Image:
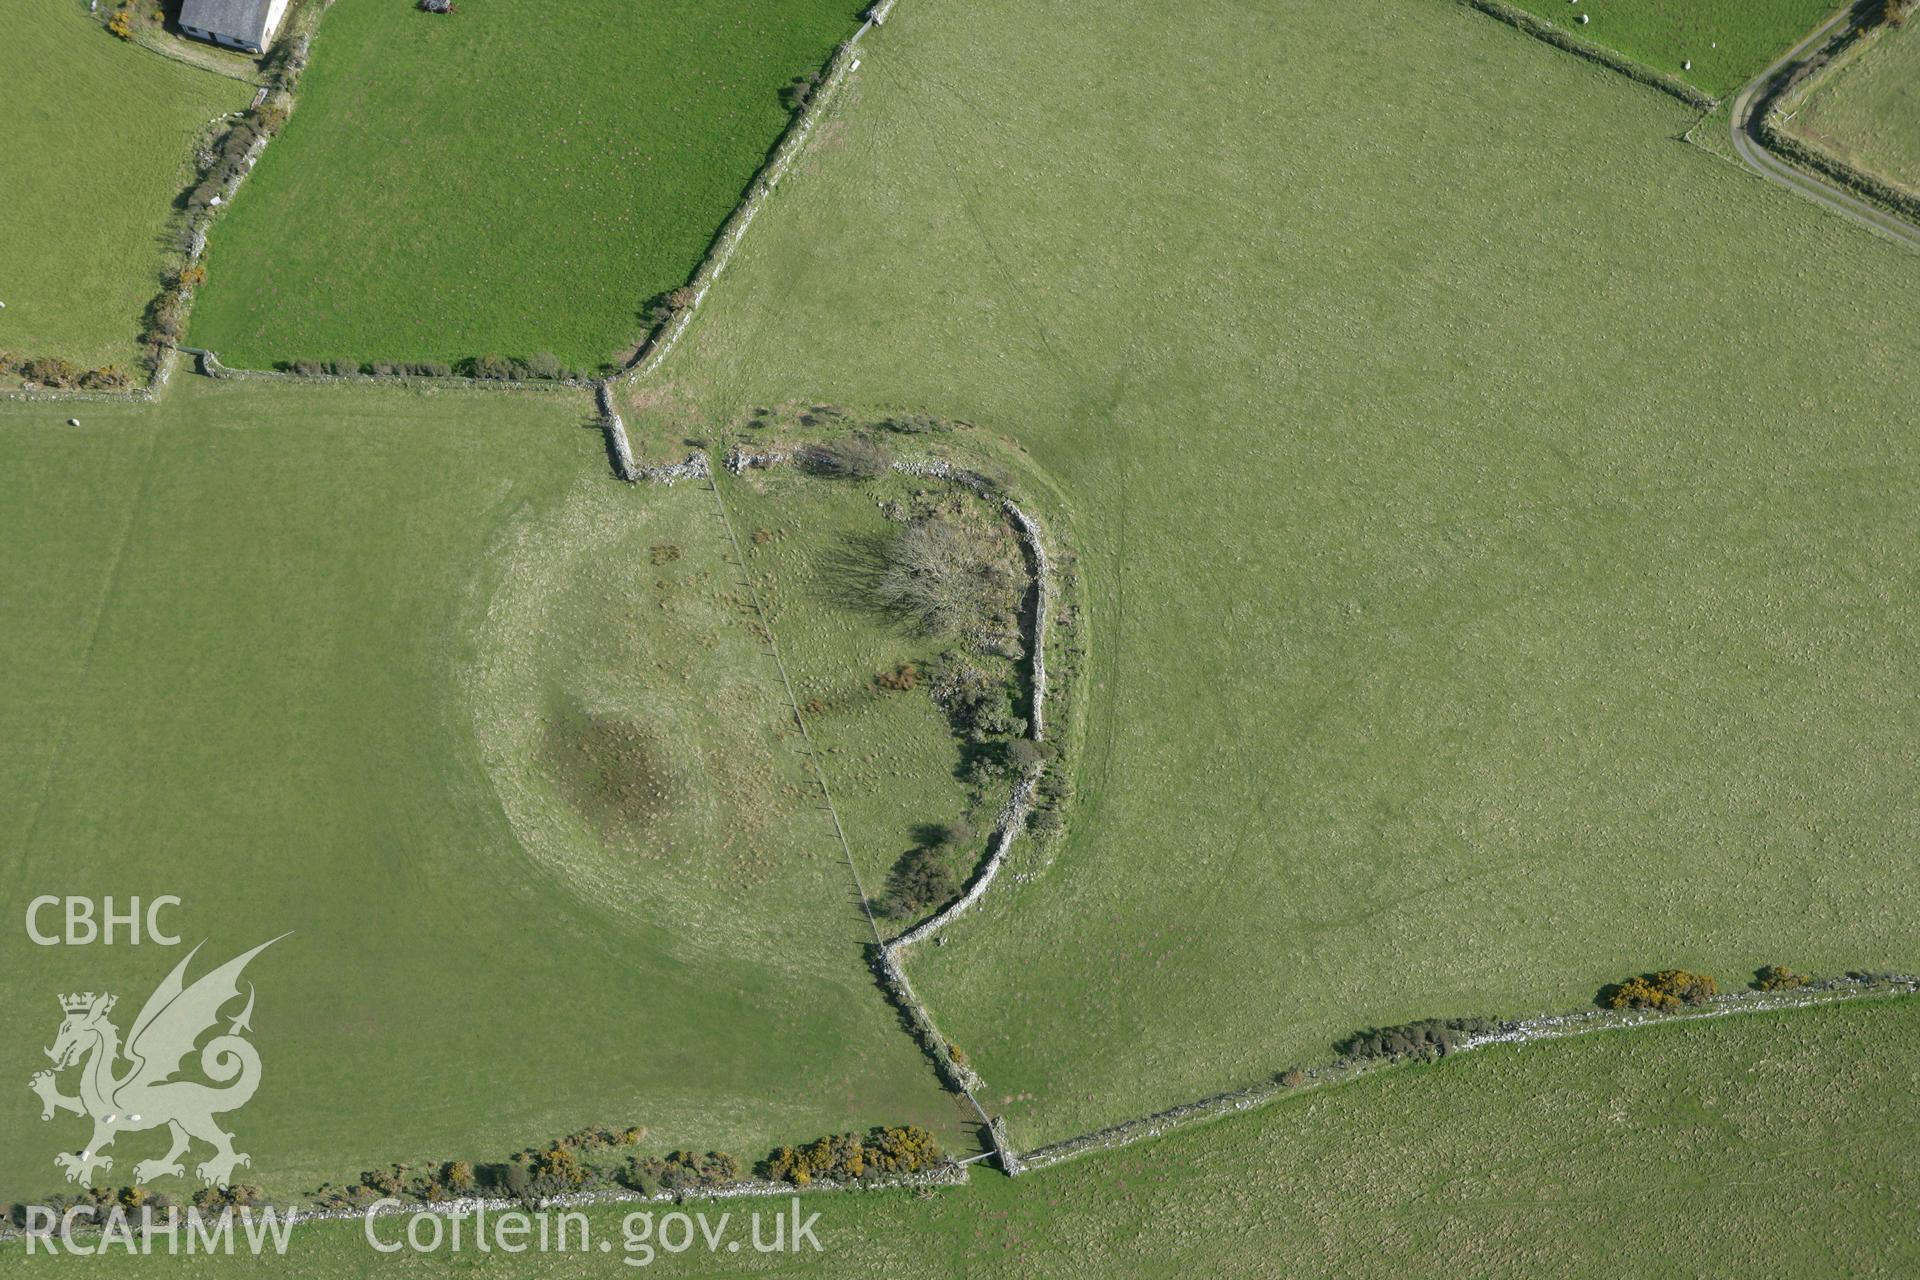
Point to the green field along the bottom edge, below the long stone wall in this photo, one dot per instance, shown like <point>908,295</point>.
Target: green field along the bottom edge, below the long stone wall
<point>1758,1147</point>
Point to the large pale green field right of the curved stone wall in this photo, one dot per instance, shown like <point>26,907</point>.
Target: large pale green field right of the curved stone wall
<point>1481,609</point>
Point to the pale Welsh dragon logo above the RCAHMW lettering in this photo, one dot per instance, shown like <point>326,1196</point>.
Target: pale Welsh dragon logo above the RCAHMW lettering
<point>145,1093</point>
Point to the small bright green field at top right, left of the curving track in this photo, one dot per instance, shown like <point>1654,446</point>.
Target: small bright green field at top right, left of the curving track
<point>1727,41</point>
